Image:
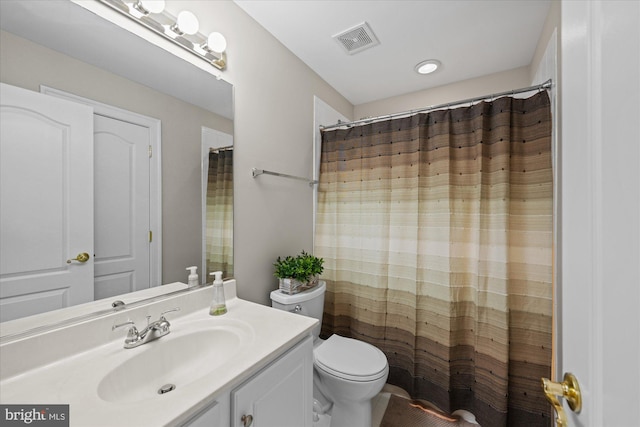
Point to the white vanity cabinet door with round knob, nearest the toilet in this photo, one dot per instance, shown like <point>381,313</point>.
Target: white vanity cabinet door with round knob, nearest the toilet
<point>281,395</point>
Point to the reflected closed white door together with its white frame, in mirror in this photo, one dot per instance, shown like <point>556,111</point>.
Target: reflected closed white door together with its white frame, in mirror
<point>128,201</point>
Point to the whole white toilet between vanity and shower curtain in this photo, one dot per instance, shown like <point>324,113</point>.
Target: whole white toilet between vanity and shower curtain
<point>347,373</point>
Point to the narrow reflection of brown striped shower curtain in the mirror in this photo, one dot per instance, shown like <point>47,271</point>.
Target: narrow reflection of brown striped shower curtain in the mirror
<point>219,225</point>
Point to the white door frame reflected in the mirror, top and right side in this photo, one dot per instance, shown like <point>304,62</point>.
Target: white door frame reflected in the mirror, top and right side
<point>155,169</point>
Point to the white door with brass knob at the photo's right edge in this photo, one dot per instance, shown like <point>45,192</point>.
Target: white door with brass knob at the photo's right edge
<point>599,326</point>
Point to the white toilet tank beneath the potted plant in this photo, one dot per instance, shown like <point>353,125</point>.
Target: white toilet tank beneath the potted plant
<point>307,303</point>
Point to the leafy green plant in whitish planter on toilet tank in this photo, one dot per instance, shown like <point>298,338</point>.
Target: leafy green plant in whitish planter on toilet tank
<point>298,273</point>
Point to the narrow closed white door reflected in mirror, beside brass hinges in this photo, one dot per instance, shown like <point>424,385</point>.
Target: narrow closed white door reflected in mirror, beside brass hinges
<point>122,230</point>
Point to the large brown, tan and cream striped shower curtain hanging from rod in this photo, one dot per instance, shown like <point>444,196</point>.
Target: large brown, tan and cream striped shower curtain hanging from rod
<point>436,231</point>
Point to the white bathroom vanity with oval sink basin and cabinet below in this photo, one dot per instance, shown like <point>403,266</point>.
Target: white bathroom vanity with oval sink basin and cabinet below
<point>252,365</point>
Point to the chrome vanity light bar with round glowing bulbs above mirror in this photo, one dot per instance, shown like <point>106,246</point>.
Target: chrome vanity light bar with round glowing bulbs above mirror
<point>181,30</point>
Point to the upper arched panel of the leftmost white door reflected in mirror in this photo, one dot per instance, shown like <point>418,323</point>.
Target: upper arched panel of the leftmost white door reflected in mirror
<point>36,170</point>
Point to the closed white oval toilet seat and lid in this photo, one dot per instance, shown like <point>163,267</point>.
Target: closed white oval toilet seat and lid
<point>350,359</point>
